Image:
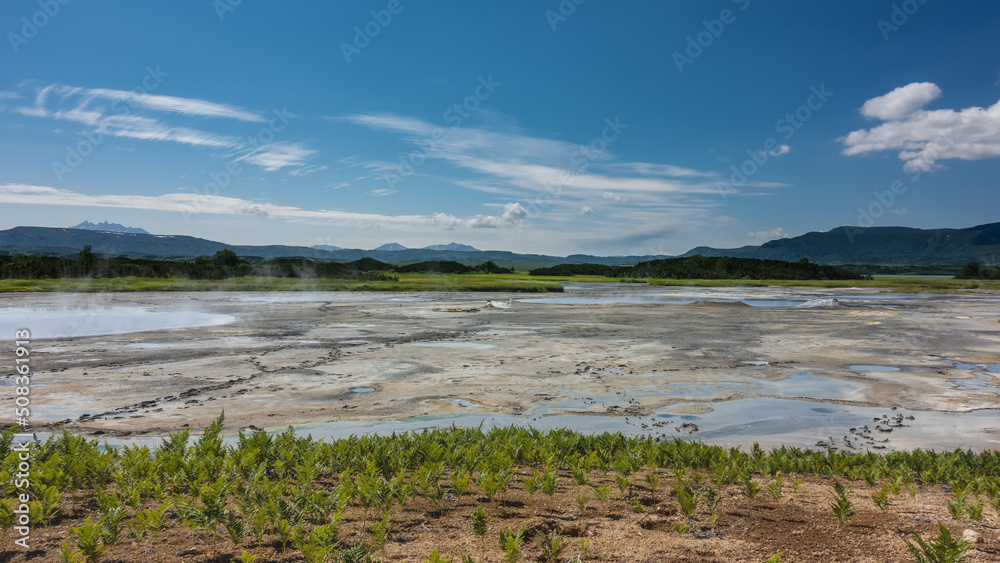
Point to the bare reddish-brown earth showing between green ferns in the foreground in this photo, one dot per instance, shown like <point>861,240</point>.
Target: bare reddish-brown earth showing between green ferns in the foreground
<point>800,525</point>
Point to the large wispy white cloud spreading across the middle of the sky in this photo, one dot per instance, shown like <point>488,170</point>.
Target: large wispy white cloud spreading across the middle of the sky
<point>561,180</point>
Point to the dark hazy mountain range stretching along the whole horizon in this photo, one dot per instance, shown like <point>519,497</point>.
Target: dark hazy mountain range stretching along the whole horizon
<point>887,246</point>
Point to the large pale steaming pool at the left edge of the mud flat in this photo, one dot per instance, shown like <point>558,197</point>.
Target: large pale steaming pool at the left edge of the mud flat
<point>68,322</point>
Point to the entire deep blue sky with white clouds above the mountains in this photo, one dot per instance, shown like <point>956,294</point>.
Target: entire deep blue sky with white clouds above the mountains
<point>534,126</point>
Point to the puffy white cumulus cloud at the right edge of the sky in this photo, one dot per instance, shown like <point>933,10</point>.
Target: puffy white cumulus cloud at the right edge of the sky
<point>925,137</point>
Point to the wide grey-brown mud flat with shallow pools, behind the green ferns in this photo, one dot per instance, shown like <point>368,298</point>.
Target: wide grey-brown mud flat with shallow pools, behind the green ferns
<point>859,371</point>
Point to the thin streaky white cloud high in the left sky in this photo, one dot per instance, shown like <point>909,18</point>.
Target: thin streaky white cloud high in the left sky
<point>149,117</point>
